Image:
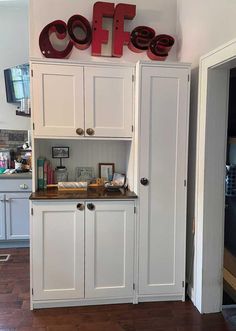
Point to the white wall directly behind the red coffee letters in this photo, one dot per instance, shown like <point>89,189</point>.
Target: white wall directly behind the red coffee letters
<point>158,14</point>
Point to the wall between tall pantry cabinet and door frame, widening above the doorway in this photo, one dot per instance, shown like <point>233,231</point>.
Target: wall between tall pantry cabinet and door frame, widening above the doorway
<point>202,26</point>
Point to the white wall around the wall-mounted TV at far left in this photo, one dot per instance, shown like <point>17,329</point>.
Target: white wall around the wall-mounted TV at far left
<point>14,50</point>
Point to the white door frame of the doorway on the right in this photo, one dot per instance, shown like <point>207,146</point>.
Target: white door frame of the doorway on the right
<point>214,69</point>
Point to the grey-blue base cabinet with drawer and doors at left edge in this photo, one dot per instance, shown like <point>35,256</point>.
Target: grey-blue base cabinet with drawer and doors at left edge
<point>14,211</point>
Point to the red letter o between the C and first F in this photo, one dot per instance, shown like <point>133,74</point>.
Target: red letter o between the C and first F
<point>78,21</point>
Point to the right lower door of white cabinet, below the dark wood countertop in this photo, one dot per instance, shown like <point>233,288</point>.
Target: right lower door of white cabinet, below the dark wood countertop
<point>109,249</point>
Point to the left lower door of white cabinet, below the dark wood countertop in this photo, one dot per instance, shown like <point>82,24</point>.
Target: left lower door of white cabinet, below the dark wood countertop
<point>57,250</point>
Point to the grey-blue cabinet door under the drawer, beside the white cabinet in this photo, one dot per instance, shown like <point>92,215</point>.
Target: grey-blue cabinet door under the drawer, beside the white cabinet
<point>17,215</point>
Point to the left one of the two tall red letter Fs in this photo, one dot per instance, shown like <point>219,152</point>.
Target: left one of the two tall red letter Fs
<point>100,36</point>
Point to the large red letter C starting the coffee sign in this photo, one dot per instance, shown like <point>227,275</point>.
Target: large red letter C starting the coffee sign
<point>60,28</point>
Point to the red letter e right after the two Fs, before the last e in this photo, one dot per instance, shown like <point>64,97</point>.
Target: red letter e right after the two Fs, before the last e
<point>140,38</point>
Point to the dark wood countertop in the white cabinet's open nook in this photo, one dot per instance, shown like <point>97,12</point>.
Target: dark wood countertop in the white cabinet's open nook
<point>91,193</point>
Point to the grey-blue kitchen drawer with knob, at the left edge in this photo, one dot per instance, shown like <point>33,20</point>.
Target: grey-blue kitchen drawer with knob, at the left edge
<point>16,185</point>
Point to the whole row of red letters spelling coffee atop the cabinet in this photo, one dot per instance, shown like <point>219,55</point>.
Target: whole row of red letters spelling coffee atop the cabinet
<point>141,39</point>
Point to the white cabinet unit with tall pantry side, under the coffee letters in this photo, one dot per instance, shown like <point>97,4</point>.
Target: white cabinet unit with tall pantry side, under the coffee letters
<point>149,240</point>
